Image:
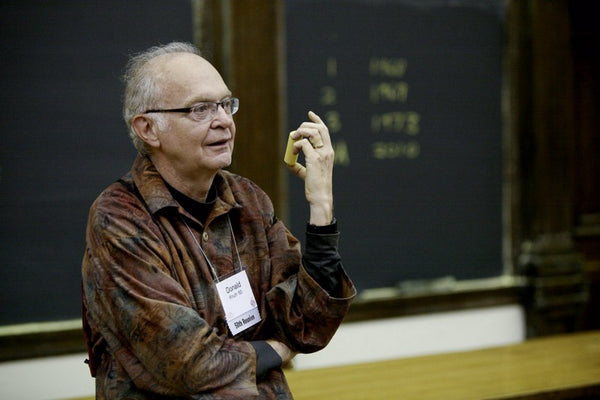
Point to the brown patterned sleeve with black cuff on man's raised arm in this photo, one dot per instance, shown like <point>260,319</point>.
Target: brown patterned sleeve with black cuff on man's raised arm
<point>305,312</point>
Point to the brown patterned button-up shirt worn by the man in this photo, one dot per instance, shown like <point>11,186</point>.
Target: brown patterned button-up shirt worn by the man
<point>152,317</point>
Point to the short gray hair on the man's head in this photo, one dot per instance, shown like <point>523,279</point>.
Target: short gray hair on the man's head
<point>142,90</point>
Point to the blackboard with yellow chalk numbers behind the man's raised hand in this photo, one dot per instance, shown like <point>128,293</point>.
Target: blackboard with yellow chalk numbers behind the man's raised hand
<point>411,92</point>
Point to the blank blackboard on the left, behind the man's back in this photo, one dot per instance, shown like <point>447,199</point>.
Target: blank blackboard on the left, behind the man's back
<point>62,135</point>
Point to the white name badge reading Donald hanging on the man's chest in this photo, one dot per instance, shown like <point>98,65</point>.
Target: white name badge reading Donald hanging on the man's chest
<point>237,299</point>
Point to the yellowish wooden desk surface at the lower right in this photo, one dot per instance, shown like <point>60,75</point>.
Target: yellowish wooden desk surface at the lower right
<point>558,367</point>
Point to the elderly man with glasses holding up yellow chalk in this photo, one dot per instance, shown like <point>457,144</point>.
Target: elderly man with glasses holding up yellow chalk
<point>192,288</point>
